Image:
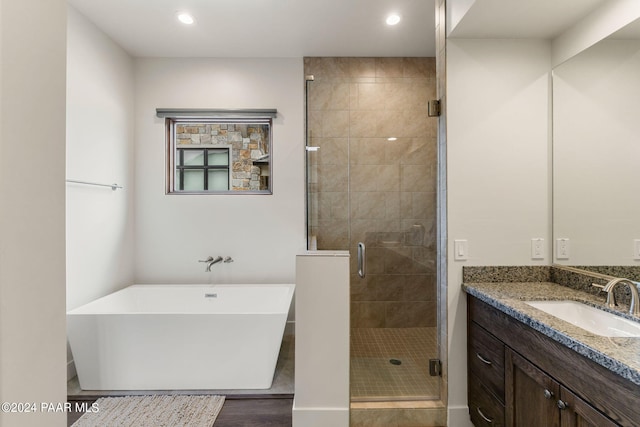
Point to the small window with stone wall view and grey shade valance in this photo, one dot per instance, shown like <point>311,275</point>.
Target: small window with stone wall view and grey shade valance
<point>218,151</point>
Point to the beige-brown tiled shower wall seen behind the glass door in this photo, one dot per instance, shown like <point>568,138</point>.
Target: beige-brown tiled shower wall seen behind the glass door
<point>354,105</point>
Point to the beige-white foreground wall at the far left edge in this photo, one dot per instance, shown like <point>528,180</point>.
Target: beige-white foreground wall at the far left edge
<point>32,194</point>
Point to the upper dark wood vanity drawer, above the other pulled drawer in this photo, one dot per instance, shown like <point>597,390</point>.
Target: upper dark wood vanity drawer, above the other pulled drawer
<point>486,359</point>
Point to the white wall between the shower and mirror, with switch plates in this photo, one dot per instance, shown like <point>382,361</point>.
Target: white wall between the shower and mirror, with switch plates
<point>498,171</point>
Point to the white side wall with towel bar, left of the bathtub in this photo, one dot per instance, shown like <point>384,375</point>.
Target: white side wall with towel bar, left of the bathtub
<point>100,149</point>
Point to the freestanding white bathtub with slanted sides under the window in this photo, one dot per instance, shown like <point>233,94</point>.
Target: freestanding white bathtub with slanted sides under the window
<point>177,337</point>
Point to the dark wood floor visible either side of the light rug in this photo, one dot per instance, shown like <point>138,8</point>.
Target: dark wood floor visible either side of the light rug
<point>241,411</point>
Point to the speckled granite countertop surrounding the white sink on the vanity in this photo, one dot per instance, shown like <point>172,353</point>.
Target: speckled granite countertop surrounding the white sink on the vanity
<point>618,354</point>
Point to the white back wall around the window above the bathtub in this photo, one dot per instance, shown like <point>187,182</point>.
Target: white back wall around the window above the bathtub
<point>263,233</point>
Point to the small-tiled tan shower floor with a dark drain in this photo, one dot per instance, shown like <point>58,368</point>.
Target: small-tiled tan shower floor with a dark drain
<point>375,377</point>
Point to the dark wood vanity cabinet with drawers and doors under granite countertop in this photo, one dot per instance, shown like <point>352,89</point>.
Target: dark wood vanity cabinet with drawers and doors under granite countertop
<point>518,377</point>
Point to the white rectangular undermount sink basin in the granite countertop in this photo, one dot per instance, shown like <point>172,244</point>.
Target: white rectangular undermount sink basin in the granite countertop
<point>590,318</point>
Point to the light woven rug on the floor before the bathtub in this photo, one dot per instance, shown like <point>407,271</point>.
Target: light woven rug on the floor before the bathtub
<point>153,411</point>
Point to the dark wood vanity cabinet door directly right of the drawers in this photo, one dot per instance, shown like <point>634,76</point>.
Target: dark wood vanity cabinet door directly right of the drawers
<point>531,395</point>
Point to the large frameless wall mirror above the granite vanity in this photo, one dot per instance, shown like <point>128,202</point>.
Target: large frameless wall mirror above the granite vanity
<point>596,153</point>
